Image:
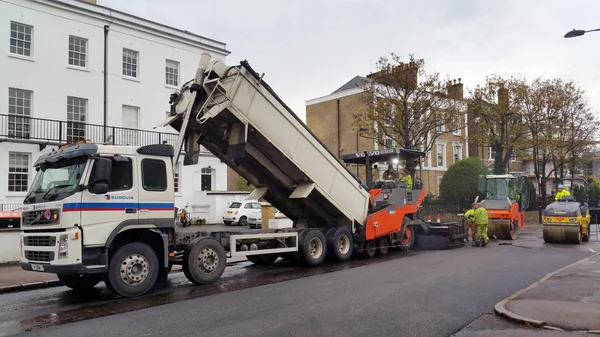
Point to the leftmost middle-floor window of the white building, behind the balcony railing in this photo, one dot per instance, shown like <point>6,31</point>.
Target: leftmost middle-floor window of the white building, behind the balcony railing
<point>19,113</point>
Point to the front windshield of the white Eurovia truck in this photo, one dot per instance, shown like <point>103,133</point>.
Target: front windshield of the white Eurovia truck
<point>56,181</point>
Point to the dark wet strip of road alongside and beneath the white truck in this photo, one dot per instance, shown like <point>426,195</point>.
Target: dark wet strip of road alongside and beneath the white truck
<point>237,277</point>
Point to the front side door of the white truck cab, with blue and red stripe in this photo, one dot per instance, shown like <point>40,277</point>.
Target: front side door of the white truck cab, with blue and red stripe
<point>102,213</point>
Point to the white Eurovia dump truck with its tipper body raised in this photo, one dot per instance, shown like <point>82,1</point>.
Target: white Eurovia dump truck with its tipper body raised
<point>99,212</point>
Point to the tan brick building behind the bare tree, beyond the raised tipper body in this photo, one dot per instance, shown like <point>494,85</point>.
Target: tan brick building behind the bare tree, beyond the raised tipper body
<point>331,119</point>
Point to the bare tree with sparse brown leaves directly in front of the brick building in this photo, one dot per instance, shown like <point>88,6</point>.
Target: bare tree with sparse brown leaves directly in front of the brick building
<point>407,106</point>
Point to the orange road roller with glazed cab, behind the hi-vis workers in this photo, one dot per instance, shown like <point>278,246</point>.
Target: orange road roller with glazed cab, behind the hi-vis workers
<point>507,198</point>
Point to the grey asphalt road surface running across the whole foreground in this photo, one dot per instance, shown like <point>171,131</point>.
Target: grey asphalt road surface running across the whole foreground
<point>426,293</point>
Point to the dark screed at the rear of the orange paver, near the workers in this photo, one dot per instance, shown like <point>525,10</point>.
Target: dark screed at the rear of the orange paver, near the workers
<point>447,235</point>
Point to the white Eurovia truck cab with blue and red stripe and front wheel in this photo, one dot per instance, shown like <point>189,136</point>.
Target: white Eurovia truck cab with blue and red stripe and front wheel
<point>86,203</point>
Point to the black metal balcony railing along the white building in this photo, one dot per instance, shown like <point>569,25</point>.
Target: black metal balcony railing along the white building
<point>47,131</point>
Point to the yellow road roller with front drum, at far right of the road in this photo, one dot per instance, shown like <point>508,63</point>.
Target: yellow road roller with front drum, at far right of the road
<point>567,220</point>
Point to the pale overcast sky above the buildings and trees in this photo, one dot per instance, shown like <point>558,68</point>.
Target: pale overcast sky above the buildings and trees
<point>309,48</point>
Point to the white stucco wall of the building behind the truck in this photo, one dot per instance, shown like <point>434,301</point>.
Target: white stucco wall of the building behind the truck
<point>47,74</point>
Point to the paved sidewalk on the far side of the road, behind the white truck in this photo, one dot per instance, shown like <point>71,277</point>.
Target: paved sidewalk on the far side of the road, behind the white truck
<point>13,278</point>
